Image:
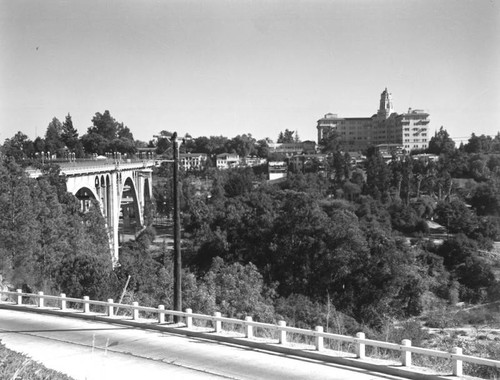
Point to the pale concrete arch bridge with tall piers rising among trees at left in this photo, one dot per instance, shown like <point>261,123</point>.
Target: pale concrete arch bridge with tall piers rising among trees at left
<point>122,189</point>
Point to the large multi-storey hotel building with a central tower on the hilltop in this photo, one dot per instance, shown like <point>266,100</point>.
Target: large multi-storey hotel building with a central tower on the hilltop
<point>409,131</point>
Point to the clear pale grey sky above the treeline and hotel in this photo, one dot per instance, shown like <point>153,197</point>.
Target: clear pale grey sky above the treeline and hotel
<point>211,67</point>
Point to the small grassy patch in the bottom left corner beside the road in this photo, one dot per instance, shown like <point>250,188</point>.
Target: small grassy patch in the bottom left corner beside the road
<point>16,366</point>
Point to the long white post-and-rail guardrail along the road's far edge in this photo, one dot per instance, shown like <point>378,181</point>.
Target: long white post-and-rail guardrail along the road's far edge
<point>359,341</point>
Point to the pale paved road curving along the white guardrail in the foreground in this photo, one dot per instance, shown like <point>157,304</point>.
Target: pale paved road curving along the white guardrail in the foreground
<point>94,350</point>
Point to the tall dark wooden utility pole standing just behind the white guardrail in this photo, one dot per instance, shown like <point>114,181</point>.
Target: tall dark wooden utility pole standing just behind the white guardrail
<point>177,232</point>
